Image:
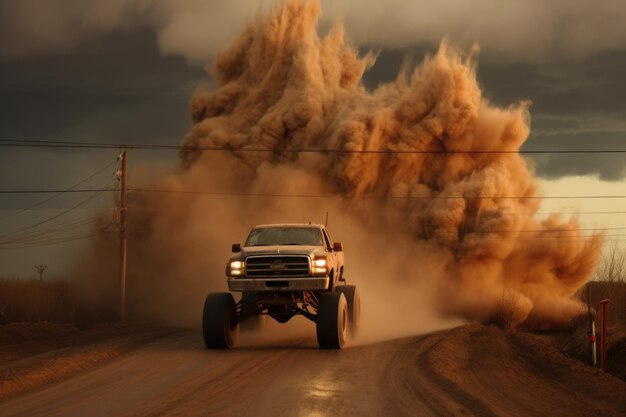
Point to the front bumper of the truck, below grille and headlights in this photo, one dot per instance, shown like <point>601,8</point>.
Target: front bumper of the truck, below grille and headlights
<point>278,284</point>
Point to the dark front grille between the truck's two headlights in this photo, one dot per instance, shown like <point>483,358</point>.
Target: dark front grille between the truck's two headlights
<point>277,266</point>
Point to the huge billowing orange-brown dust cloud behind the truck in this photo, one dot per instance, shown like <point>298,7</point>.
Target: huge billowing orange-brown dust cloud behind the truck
<point>431,236</point>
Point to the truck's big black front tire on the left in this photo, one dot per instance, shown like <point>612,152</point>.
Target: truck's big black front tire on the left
<point>219,321</point>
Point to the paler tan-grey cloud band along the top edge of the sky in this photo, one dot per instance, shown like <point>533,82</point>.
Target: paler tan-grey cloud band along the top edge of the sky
<point>196,29</point>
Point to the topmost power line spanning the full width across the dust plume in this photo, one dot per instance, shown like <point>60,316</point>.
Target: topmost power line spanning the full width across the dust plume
<point>111,145</point>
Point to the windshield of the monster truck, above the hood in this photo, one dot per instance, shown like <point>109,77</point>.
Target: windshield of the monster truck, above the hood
<point>270,236</point>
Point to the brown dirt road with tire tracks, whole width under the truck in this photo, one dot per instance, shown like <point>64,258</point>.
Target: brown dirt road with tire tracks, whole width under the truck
<point>471,371</point>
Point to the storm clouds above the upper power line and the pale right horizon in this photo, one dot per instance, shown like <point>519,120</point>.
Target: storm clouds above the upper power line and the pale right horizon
<point>94,70</point>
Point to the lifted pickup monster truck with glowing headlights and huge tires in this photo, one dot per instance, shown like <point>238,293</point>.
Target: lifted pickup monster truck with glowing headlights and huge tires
<point>283,270</point>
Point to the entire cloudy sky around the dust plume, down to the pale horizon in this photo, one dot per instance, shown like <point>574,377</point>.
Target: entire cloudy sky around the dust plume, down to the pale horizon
<point>123,71</point>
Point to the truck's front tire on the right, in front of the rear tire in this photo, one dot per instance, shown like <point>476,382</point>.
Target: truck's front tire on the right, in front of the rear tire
<point>332,320</point>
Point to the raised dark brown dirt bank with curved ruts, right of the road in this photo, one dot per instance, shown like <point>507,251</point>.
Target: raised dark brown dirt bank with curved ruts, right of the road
<point>482,371</point>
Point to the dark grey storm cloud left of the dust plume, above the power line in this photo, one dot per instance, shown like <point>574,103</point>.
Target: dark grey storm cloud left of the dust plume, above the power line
<point>119,89</point>
